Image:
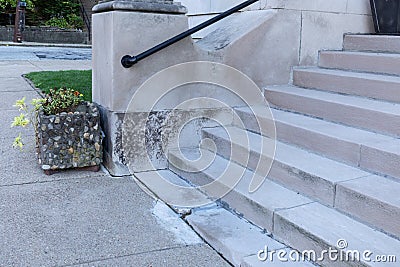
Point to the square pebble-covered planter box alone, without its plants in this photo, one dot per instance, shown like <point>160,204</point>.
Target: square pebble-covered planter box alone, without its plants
<point>70,140</point>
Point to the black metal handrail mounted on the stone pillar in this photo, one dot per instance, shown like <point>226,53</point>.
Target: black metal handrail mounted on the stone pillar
<point>128,61</point>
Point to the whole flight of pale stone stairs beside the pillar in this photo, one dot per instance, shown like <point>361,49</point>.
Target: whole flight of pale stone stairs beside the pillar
<point>336,172</point>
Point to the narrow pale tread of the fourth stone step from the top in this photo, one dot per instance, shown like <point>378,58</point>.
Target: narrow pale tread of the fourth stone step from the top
<point>347,100</point>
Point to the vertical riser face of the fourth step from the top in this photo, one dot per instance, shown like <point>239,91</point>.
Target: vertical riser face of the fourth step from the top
<point>349,115</point>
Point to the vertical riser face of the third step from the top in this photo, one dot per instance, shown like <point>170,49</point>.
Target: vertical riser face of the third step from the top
<point>388,90</point>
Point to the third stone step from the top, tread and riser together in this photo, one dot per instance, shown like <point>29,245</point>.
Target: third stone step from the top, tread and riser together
<point>375,86</point>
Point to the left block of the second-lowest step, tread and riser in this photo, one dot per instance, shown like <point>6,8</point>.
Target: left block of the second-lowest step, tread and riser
<point>258,207</point>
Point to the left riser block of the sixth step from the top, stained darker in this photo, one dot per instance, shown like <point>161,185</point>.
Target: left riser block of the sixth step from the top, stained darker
<point>292,178</point>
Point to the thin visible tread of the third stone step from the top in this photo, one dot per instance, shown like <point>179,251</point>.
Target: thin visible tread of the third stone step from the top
<point>352,74</point>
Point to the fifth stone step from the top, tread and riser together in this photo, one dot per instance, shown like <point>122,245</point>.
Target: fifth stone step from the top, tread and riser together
<point>370,151</point>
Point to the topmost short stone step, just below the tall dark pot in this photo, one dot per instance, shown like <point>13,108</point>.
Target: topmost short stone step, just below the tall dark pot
<point>376,43</point>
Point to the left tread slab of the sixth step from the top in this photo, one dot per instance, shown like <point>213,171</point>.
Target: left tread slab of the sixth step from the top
<point>313,164</point>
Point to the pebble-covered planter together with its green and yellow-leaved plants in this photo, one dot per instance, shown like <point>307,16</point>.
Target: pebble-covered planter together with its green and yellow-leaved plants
<point>67,130</point>
